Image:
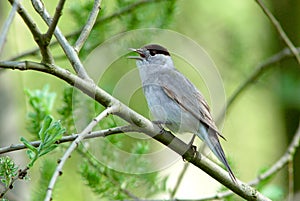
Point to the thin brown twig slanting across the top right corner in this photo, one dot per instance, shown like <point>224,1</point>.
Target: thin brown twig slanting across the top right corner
<point>280,30</point>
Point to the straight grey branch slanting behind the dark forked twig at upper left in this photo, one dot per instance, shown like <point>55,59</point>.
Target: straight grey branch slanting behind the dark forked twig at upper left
<point>67,48</point>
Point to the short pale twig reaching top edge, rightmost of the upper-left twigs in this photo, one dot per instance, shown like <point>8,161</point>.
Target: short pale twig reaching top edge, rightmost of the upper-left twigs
<point>88,26</point>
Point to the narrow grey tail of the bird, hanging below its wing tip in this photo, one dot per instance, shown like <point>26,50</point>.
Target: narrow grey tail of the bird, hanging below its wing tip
<point>212,140</point>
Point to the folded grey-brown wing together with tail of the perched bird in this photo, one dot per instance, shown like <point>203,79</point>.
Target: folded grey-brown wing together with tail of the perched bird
<point>191,100</point>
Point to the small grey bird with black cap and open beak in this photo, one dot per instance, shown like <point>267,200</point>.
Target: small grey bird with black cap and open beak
<point>174,100</point>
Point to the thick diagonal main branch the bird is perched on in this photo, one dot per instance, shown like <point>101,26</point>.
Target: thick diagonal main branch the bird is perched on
<point>146,126</point>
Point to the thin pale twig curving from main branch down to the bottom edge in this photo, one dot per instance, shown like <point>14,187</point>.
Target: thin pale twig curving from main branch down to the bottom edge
<point>86,131</point>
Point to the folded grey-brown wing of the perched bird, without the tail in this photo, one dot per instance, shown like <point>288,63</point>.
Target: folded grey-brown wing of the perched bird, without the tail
<point>187,96</point>
